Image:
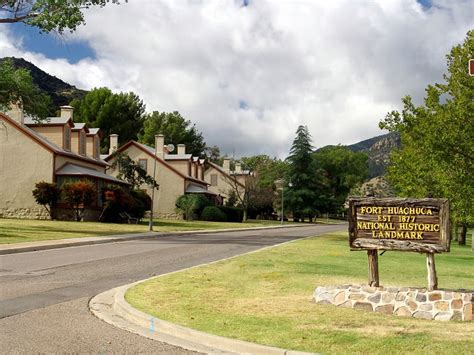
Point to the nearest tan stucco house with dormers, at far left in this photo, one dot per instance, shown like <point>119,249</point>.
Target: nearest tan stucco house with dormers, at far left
<point>55,151</point>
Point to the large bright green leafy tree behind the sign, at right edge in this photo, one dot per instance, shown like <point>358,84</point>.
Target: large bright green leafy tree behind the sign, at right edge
<point>437,154</point>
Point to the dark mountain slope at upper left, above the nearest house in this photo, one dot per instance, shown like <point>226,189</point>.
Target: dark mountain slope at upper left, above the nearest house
<point>60,92</point>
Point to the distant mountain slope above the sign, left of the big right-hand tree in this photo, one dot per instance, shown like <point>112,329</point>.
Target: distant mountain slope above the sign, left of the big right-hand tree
<point>378,149</point>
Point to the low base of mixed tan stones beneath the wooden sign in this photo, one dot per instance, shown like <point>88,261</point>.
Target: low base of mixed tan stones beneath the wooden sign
<point>443,305</point>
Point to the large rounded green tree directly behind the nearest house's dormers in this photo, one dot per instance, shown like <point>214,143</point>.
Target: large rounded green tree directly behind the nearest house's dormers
<point>121,114</point>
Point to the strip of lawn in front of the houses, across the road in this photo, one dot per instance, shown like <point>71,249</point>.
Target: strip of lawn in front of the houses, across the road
<point>22,230</point>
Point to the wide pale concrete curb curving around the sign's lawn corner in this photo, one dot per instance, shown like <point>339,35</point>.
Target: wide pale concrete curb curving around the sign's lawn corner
<point>111,307</point>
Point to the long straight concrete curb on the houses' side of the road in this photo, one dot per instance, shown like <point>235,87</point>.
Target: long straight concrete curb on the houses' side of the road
<point>75,242</point>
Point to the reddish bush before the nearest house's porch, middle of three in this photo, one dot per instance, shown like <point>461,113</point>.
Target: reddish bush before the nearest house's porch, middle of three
<point>79,195</point>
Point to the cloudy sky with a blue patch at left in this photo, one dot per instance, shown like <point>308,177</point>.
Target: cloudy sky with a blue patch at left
<point>249,72</point>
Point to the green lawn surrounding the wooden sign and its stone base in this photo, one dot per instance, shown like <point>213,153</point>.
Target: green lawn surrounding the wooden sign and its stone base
<point>266,297</point>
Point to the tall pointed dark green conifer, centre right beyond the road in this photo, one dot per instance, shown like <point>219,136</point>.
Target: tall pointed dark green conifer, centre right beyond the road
<point>306,197</point>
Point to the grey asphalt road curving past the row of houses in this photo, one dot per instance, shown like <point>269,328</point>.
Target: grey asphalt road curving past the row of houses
<point>44,294</point>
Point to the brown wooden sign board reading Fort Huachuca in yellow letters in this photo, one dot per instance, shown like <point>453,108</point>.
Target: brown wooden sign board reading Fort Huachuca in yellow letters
<point>420,225</point>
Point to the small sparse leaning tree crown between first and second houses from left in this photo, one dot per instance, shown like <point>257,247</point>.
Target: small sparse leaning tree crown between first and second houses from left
<point>132,173</point>
